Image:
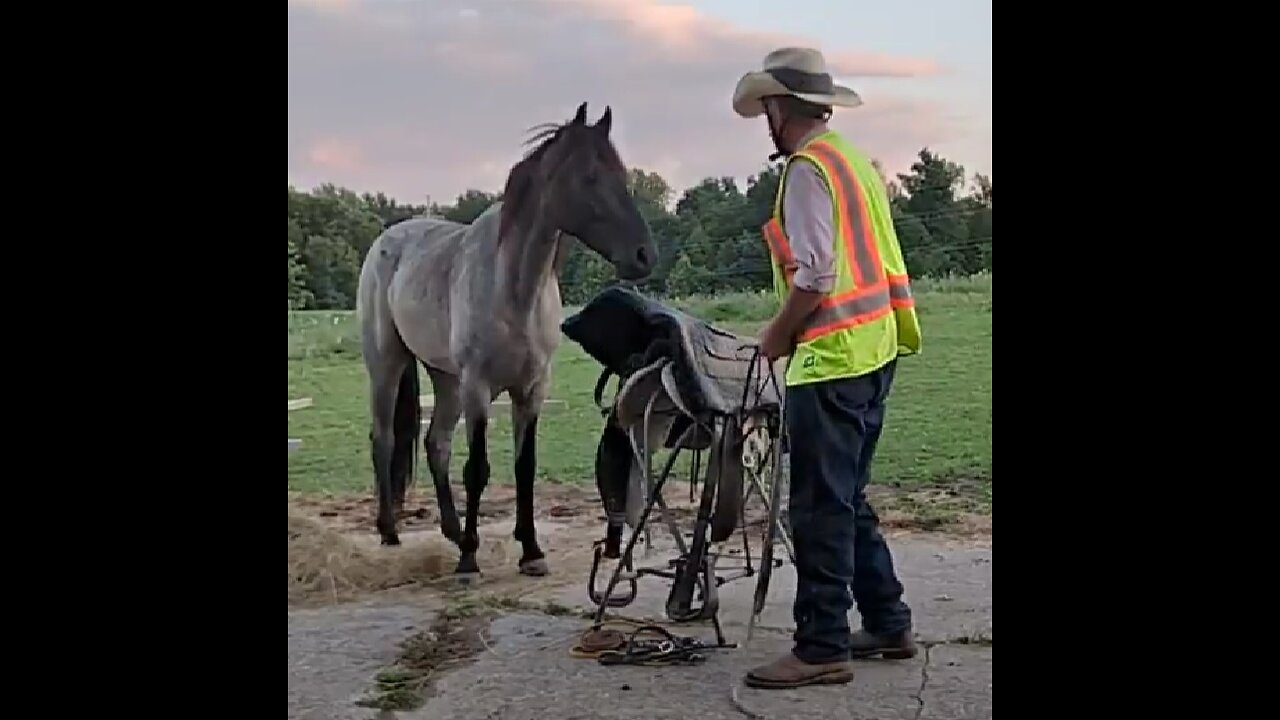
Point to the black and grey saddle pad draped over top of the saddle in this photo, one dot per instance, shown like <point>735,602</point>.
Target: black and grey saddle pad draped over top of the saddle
<point>710,370</point>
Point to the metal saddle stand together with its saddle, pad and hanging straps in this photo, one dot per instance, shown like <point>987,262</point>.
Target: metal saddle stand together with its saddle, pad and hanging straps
<point>683,385</point>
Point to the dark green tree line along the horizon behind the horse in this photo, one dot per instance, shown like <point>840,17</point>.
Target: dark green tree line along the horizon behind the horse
<point>710,240</point>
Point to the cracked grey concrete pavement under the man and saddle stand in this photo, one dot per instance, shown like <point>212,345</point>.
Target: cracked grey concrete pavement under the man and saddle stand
<point>528,675</point>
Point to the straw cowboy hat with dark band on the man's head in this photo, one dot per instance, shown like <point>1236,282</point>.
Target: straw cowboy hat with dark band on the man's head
<point>801,72</point>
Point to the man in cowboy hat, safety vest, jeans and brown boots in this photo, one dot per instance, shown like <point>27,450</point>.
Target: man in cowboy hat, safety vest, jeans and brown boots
<point>847,316</point>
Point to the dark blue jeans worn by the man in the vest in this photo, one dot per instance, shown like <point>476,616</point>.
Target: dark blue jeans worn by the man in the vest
<point>833,432</point>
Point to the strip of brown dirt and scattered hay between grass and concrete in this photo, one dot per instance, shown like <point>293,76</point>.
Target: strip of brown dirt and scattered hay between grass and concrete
<point>335,555</point>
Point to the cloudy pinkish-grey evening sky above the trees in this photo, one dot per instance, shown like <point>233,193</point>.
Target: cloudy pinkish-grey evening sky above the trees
<point>423,99</point>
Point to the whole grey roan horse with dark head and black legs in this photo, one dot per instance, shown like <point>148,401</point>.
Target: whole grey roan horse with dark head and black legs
<point>479,306</point>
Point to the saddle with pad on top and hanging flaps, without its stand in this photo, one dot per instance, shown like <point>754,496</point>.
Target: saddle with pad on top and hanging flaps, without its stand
<point>676,377</point>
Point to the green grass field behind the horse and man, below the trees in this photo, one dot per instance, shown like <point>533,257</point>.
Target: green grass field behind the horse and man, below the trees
<point>938,435</point>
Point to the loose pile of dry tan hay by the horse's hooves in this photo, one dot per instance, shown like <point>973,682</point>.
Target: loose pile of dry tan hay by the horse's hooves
<point>330,566</point>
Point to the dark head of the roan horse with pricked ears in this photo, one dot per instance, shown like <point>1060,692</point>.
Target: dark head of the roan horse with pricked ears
<point>580,185</point>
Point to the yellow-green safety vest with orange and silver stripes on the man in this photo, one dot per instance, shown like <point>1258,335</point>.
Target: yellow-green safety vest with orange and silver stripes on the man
<point>870,317</point>
